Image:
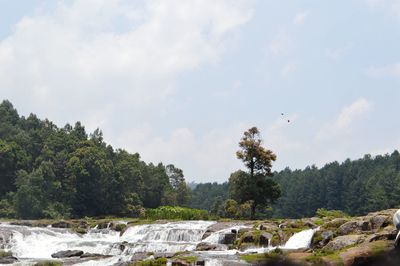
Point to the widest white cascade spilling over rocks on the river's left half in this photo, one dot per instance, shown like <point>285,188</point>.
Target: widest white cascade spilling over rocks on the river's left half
<point>41,243</point>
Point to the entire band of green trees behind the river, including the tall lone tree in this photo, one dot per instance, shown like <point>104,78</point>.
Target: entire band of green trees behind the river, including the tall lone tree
<point>52,172</point>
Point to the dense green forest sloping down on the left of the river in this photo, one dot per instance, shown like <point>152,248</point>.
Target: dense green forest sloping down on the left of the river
<point>47,171</point>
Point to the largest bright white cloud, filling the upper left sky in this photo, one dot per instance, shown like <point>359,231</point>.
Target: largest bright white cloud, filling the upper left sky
<point>85,54</point>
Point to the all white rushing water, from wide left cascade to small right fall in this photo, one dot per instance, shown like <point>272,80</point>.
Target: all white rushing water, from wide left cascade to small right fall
<point>33,243</point>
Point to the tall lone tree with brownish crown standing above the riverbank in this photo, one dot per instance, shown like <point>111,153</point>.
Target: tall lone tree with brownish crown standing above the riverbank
<point>254,187</point>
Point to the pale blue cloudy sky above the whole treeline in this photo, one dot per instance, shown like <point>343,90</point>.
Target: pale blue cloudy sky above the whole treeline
<point>179,81</point>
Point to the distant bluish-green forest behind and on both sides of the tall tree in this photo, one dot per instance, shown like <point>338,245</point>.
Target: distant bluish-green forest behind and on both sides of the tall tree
<point>354,186</point>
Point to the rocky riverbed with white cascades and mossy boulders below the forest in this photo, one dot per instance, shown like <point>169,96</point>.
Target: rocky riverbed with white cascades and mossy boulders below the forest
<point>365,240</point>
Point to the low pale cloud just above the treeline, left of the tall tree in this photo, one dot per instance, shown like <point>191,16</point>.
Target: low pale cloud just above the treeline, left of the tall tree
<point>202,157</point>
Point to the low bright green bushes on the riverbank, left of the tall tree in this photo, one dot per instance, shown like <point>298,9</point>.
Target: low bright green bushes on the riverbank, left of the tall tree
<point>173,213</point>
